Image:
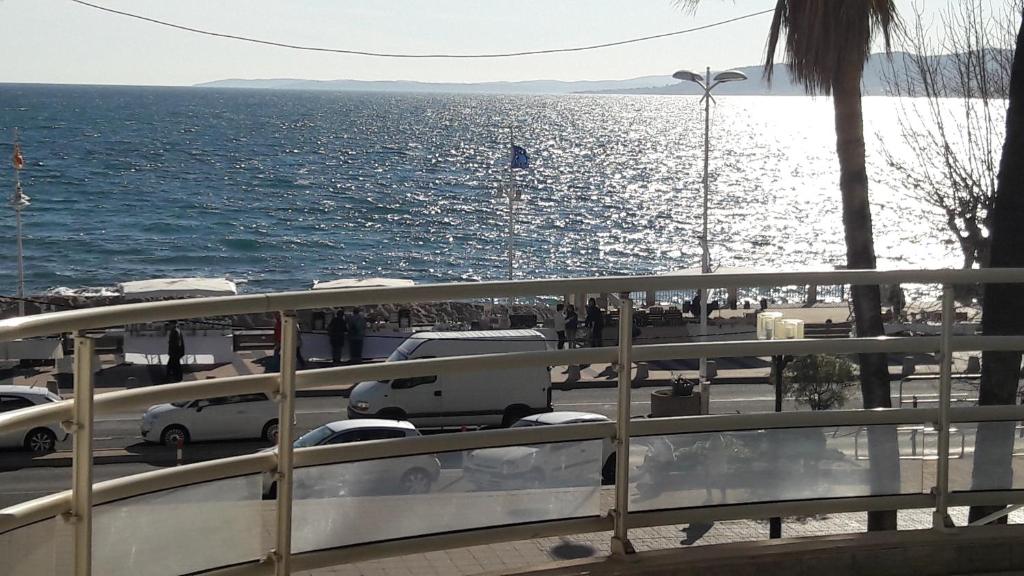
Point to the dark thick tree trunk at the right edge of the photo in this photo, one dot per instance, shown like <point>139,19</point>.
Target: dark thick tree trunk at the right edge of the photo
<point>1003,312</point>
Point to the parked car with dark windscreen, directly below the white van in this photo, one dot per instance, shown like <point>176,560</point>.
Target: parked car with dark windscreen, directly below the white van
<point>408,475</point>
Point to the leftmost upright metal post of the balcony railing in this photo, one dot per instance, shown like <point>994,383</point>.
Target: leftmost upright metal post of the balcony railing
<point>81,504</point>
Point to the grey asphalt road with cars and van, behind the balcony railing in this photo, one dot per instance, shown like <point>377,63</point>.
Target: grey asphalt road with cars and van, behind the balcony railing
<point>23,479</point>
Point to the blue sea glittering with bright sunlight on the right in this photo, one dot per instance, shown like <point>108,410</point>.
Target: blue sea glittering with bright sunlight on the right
<point>281,188</point>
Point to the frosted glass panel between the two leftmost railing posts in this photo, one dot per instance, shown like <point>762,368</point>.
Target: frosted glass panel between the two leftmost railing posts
<point>184,530</point>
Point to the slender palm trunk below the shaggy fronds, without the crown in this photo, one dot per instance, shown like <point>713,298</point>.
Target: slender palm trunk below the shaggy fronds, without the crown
<point>883,447</point>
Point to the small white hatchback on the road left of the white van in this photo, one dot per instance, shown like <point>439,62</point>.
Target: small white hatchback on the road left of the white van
<point>227,418</point>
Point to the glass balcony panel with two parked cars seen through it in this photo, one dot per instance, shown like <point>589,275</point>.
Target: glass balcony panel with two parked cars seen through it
<point>356,503</point>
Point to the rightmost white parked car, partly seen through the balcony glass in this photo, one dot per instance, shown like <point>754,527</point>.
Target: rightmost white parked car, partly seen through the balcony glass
<point>542,465</point>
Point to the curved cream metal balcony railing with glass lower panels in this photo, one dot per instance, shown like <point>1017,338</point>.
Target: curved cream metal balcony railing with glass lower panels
<point>210,518</point>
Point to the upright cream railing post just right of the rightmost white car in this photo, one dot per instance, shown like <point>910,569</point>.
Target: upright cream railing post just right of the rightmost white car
<point>620,541</point>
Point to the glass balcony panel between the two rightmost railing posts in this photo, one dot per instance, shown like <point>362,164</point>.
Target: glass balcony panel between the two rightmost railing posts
<point>736,468</point>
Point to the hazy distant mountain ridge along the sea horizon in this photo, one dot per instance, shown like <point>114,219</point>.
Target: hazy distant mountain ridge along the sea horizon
<point>874,84</point>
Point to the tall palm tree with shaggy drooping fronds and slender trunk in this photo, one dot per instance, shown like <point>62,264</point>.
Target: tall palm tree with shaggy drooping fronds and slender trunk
<point>827,46</point>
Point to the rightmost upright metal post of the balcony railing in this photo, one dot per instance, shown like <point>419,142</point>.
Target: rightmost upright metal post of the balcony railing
<point>941,519</point>
